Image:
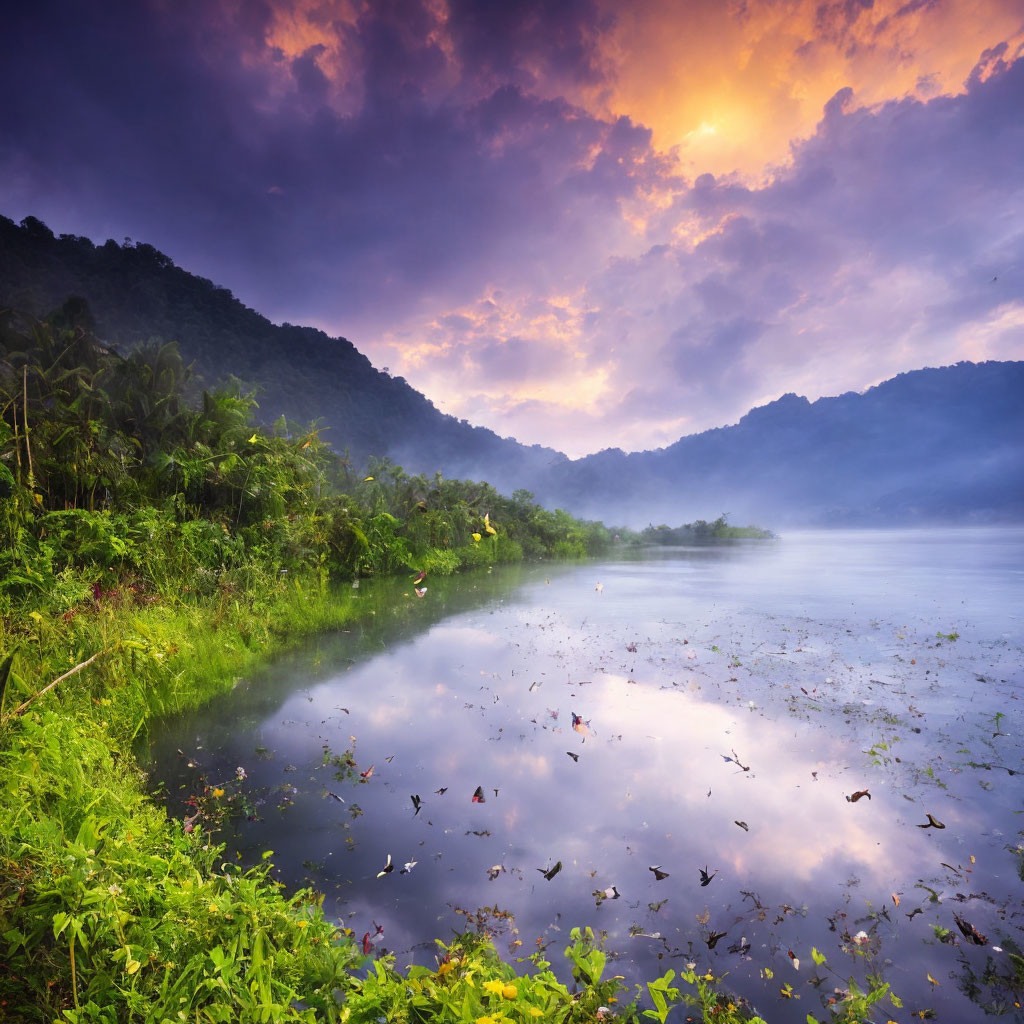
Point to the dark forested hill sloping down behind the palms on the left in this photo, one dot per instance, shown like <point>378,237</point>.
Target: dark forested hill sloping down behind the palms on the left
<point>135,293</point>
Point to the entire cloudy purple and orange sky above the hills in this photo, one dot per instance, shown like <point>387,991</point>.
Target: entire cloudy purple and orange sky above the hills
<point>583,224</point>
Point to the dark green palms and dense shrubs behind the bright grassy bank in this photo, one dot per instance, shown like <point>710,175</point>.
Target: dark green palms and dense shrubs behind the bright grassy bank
<point>116,476</point>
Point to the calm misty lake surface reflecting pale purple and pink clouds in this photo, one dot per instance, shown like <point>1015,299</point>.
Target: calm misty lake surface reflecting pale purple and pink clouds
<point>810,663</point>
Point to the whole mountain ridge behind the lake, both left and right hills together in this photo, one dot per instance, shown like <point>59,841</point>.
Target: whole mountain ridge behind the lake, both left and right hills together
<point>927,446</point>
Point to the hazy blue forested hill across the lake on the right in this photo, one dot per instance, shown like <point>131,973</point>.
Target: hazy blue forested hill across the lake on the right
<point>930,446</point>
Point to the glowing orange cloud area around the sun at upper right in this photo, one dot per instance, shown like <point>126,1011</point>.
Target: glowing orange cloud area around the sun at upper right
<point>730,86</point>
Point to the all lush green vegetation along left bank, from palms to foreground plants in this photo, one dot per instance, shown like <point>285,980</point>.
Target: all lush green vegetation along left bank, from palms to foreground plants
<point>154,549</point>
